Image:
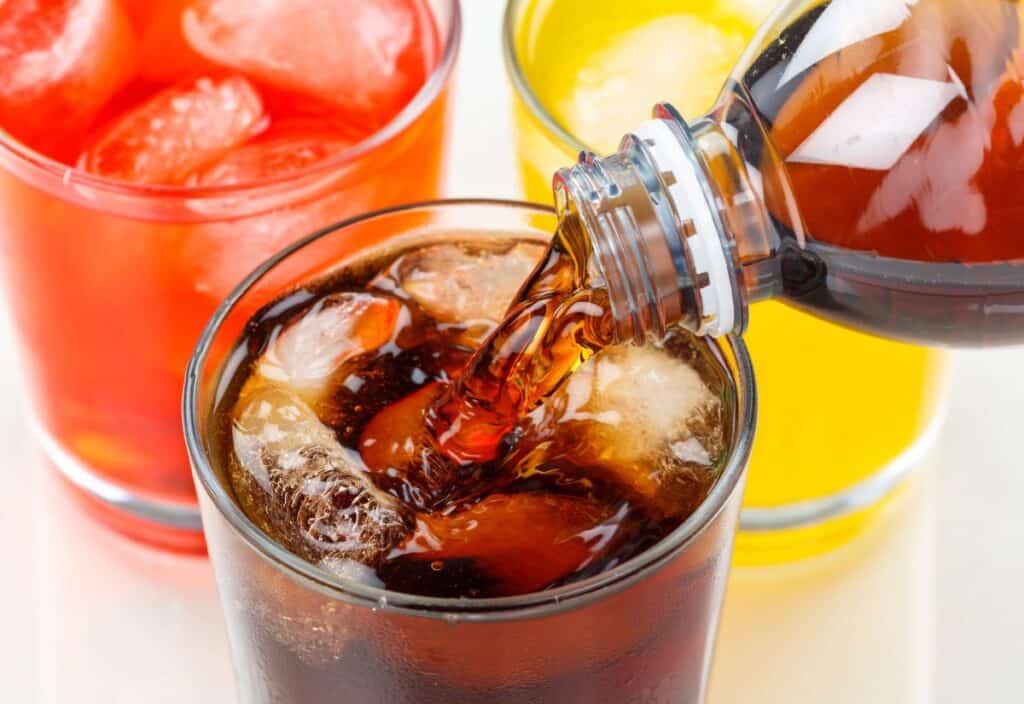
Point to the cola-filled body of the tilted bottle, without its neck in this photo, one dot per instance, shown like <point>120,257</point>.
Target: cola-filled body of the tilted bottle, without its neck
<point>891,146</point>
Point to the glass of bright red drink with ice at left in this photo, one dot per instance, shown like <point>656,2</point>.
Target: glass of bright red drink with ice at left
<point>111,277</point>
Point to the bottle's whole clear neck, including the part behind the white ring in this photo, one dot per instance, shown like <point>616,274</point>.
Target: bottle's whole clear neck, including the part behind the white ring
<point>662,216</point>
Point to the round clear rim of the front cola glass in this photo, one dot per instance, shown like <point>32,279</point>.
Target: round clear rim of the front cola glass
<point>492,609</point>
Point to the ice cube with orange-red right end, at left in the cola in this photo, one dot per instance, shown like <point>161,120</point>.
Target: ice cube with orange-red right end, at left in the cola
<point>339,327</point>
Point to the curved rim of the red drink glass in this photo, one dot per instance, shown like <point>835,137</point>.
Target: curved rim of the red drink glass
<point>77,185</point>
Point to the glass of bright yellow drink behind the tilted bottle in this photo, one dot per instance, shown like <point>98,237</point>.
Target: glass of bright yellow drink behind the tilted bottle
<point>834,439</point>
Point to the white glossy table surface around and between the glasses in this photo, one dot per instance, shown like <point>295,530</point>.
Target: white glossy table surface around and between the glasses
<point>928,607</point>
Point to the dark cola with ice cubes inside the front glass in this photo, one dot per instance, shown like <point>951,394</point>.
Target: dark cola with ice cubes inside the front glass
<point>333,455</point>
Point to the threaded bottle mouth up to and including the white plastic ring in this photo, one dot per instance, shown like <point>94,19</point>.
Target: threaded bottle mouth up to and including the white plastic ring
<point>656,241</point>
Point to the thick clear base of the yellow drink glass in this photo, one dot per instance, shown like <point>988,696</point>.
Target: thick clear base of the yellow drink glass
<point>806,530</point>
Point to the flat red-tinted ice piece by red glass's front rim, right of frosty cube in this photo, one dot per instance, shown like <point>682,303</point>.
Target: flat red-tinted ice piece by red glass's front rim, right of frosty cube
<point>285,150</point>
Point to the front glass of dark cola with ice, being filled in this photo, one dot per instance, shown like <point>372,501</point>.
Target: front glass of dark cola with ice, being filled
<point>586,564</point>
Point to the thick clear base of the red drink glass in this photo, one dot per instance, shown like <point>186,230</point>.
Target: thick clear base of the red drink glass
<point>168,525</point>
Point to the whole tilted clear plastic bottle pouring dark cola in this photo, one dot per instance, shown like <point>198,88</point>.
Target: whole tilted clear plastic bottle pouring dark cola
<point>864,164</point>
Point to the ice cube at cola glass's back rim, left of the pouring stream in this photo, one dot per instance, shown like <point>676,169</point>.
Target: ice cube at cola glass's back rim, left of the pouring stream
<point>454,284</point>
